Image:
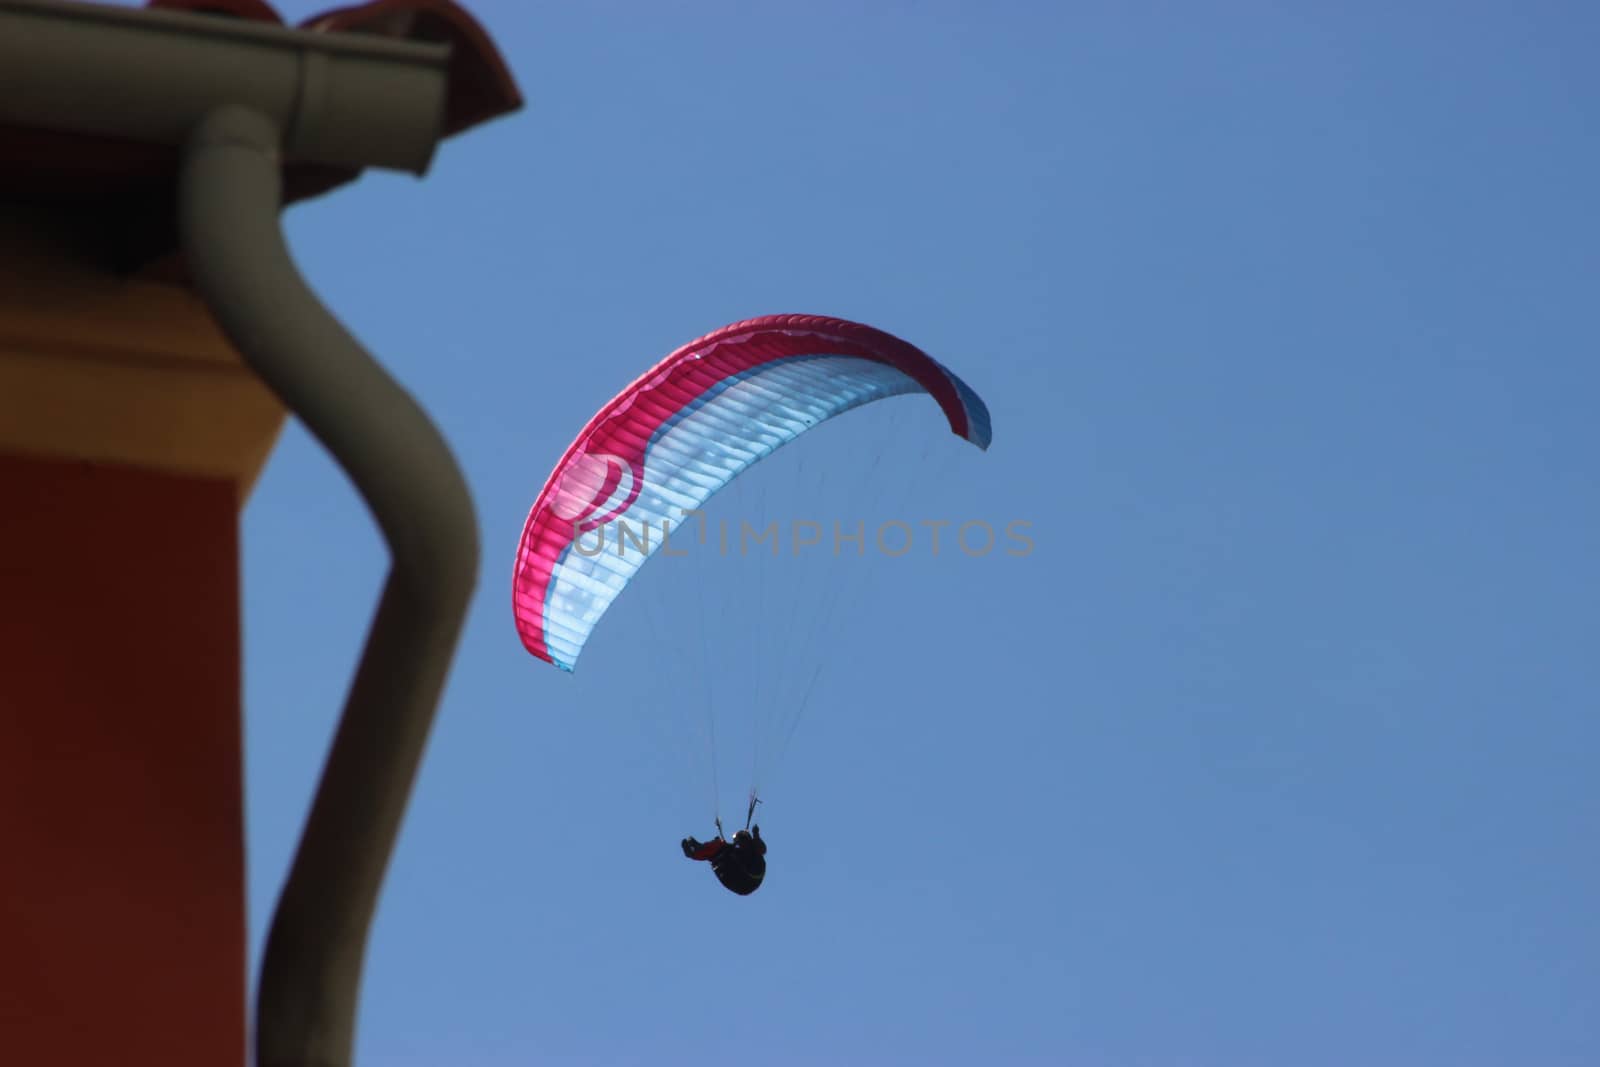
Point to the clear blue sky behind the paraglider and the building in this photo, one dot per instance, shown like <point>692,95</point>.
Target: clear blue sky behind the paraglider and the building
<point>1279,748</point>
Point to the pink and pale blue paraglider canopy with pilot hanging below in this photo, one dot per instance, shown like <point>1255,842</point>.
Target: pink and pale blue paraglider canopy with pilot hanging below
<point>673,439</point>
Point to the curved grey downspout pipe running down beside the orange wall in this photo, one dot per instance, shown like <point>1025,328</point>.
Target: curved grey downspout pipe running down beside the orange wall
<point>230,198</point>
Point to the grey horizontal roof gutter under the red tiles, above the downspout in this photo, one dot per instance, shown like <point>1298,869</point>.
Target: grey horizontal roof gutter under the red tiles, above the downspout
<point>345,100</point>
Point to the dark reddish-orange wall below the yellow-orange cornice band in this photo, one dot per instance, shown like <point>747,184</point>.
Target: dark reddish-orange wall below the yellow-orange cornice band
<point>122,865</point>
